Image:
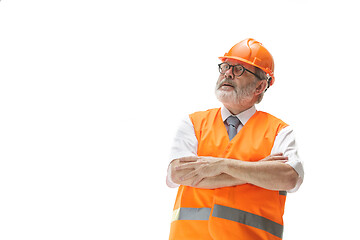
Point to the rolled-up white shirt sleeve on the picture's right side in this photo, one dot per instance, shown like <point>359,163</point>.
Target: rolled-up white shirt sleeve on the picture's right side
<point>285,143</point>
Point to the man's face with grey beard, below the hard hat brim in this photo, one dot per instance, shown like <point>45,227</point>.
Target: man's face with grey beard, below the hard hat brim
<point>235,90</point>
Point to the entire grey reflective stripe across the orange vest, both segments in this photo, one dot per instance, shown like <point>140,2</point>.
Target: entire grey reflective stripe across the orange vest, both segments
<point>231,214</point>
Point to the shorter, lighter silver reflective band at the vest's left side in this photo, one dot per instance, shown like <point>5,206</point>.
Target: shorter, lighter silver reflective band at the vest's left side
<point>191,214</point>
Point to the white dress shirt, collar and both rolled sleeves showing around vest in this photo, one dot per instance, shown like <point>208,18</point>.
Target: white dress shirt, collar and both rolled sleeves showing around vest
<point>185,144</point>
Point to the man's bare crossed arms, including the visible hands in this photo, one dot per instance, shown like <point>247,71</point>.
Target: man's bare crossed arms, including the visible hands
<point>209,172</point>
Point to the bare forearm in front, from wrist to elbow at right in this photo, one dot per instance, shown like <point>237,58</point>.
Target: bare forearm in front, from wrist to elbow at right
<point>271,175</point>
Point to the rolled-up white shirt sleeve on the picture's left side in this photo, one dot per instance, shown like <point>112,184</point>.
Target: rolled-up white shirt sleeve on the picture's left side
<point>184,145</point>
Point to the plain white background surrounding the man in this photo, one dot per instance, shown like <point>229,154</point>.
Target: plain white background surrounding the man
<point>92,92</point>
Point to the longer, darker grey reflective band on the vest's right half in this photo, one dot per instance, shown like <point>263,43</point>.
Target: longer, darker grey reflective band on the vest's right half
<point>249,219</point>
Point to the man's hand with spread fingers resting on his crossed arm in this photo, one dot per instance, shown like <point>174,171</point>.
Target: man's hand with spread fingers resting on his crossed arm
<point>202,167</point>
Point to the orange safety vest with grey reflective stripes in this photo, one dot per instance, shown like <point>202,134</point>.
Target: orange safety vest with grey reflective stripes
<point>240,212</point>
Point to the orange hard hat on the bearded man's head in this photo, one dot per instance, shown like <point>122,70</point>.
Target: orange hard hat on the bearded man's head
<point>254,53</point>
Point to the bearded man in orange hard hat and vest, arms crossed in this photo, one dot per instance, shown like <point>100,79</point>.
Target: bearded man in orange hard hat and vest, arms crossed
<point>234,164</point>
